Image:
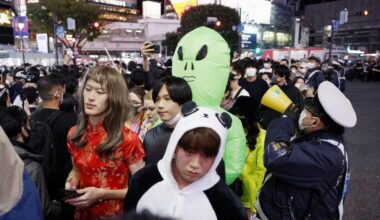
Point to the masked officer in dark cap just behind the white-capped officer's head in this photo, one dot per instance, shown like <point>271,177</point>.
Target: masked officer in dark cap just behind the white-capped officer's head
<point>314,76</point>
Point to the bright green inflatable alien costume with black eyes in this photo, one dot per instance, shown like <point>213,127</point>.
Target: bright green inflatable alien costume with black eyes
<point>202,59</point>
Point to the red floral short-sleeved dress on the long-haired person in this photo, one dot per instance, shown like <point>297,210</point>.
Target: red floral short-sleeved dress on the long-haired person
<point>102,172</point>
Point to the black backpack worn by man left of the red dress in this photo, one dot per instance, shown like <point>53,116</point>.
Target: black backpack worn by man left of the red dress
<point>41,142</point>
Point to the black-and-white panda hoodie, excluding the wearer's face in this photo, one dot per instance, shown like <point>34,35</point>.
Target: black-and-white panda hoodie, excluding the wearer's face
<point>165,198</point>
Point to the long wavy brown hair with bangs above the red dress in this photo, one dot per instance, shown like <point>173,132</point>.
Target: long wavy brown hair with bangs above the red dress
<point>117,112</point>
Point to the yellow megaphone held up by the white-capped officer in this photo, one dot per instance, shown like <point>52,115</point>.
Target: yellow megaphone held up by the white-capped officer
<point>277,100</point>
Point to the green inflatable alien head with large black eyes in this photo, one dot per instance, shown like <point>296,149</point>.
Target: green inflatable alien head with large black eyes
<point>202,58</point>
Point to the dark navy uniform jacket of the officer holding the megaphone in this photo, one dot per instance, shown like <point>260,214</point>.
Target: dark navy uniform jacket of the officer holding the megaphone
<point>304,174</point>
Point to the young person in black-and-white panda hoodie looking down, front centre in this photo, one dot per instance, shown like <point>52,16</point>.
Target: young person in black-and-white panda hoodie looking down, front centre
<point>184,184</point>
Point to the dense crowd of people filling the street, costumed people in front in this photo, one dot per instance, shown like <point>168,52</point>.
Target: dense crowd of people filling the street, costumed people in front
<point>116,141</point>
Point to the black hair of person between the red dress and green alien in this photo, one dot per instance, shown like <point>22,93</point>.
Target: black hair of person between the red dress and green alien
<point>178,89</point>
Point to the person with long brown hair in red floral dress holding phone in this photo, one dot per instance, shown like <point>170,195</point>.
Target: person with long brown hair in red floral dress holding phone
<point>104,153</point>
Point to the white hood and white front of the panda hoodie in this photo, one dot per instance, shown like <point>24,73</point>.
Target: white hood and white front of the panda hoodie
<point>165,198</point>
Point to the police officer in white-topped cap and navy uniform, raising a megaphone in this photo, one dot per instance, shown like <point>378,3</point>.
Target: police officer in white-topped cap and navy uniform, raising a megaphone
<point>308,176</point>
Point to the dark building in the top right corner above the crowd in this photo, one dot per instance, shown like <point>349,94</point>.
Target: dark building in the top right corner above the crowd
<point>361,32</point>
